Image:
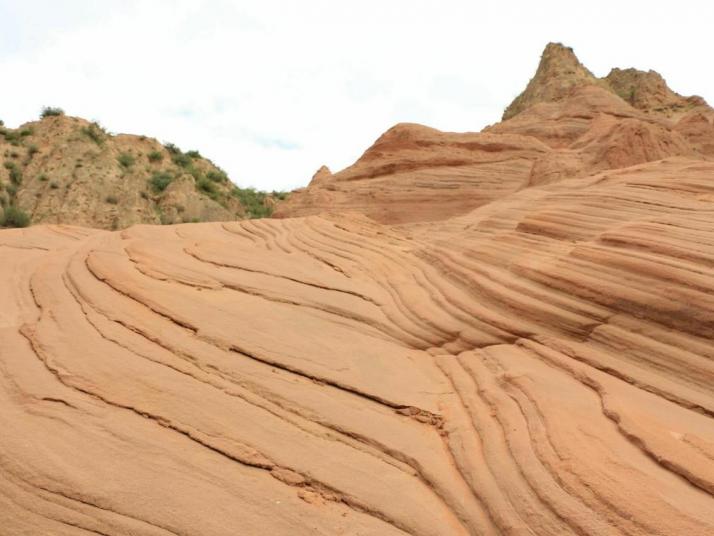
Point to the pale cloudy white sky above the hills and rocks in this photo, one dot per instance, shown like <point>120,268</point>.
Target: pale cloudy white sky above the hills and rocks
<point>270,90</point>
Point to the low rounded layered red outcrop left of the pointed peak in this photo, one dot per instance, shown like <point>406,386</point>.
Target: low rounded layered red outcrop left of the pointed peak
<point>415,173</point>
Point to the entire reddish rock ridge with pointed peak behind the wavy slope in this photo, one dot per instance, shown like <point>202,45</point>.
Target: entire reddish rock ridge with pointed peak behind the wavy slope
<point>566,124</point>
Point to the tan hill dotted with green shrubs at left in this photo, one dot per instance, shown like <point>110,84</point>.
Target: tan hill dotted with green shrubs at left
<point>63,169</point>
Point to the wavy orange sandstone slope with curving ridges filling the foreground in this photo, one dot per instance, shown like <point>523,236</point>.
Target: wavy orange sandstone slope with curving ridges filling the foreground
<point>541,365</point>
